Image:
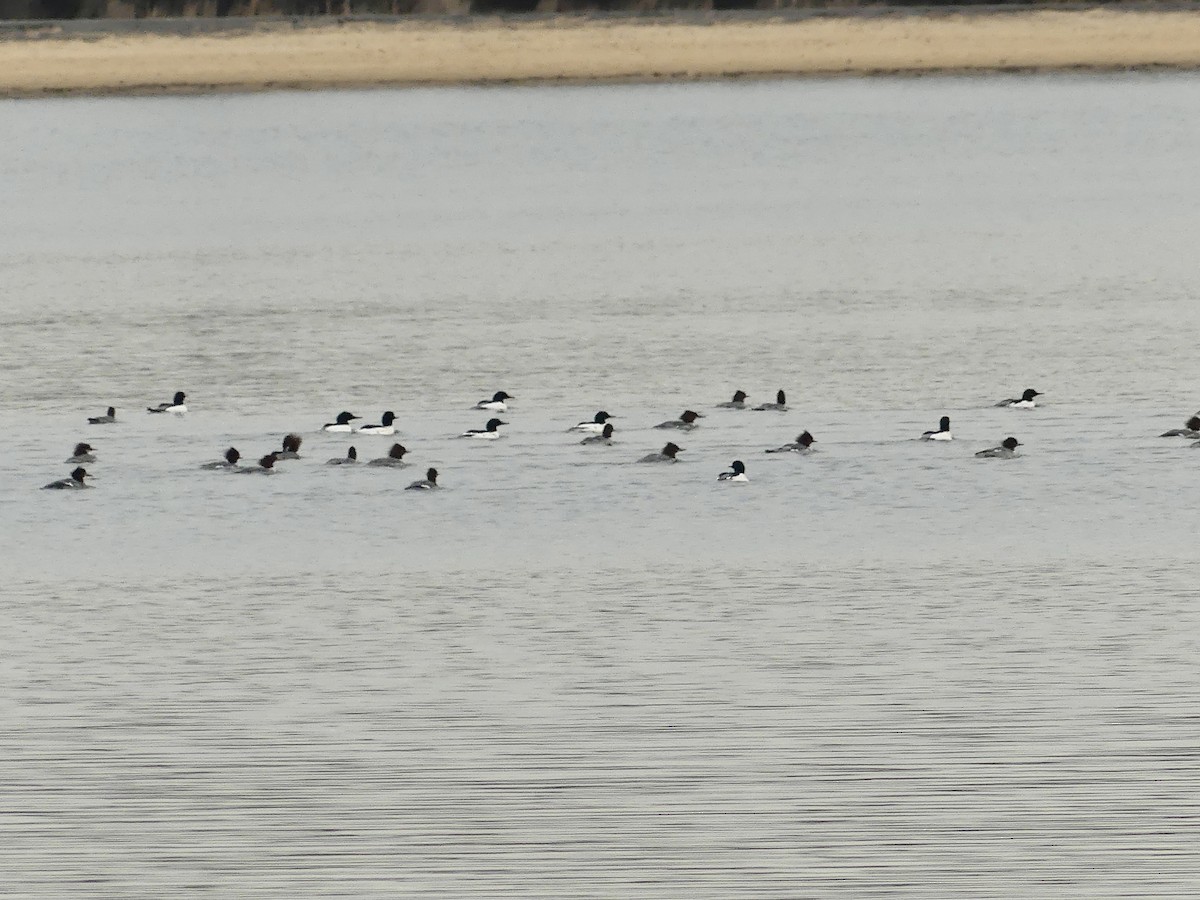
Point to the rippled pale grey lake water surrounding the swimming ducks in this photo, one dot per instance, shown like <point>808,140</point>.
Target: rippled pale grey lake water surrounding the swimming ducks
<point>884,670</point>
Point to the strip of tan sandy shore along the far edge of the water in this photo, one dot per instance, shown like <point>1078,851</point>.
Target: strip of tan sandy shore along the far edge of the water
<point>577,50</point>
